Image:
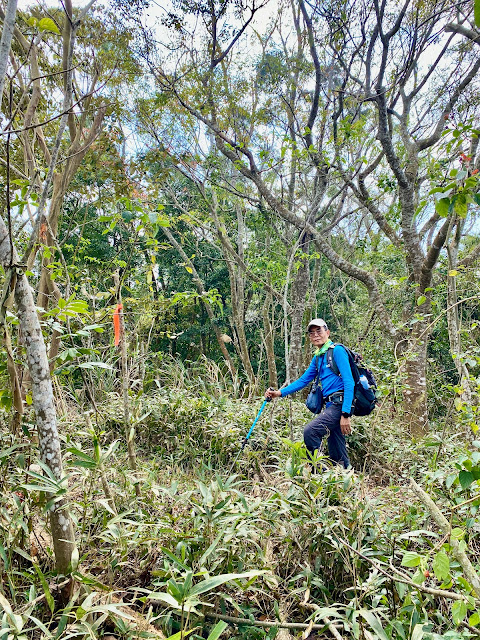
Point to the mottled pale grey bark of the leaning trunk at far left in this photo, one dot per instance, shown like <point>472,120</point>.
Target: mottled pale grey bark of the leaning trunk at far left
<point>43,402</point>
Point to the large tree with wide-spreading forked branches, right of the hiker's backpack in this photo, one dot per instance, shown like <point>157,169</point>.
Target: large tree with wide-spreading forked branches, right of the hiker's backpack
<point>377,113</point>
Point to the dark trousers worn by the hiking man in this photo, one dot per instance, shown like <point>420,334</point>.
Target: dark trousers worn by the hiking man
<point>327,424</point>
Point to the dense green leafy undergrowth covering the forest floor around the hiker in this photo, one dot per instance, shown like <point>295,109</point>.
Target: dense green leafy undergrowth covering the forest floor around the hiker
<point>263,536</point>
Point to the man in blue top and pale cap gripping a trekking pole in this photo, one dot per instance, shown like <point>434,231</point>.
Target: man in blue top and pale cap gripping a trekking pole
<point>334,421</point>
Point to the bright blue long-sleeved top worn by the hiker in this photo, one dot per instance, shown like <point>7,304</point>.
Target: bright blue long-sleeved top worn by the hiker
<point>330,381</point>
